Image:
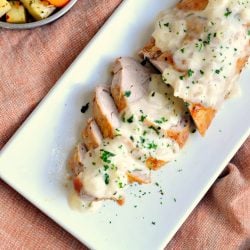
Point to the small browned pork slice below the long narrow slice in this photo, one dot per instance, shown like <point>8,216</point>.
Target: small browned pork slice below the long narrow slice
<point>92,135</point>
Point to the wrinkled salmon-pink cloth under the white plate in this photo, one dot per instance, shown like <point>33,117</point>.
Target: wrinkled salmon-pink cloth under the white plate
<point>32,61</point>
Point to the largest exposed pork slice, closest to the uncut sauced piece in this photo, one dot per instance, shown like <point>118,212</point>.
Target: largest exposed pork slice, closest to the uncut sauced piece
<point>130,81</point>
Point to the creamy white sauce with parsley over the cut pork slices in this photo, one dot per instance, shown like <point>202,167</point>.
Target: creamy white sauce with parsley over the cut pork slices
<point>141,135</point>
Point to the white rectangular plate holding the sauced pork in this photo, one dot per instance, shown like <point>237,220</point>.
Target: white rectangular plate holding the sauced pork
<point>34,160</point>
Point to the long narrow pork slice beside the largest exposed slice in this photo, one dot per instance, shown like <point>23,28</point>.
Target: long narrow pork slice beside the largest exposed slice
<point>105,111</point>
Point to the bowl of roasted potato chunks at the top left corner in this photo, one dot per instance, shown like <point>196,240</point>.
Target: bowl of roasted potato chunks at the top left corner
<point>28,14</point>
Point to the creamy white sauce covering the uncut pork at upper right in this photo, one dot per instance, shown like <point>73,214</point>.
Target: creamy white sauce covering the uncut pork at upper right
<point>206,46</point>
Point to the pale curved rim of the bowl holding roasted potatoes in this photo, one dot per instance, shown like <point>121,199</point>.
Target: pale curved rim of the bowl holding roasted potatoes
<point>39,23</point>
